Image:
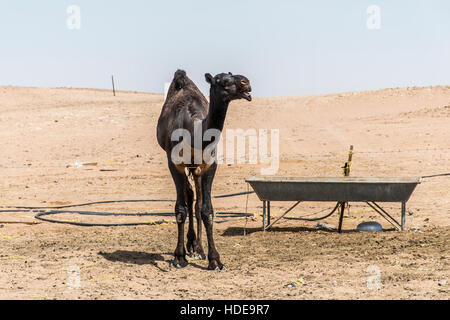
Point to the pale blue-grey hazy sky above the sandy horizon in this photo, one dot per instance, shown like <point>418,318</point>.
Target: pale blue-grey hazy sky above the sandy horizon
<point>283,47</point>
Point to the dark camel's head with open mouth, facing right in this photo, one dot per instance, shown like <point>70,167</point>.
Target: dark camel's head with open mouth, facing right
<point>229,87</point>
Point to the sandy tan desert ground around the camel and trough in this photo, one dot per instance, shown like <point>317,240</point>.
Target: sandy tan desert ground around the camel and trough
<point>46,134</point>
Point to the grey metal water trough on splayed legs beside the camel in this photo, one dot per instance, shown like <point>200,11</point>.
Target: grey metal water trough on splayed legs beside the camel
<point>340,189</point>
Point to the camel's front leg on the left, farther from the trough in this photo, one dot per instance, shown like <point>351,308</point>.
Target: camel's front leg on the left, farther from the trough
<point>181,211</point>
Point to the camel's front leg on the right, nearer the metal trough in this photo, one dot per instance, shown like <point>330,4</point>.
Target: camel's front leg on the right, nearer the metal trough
<point>207,213</point>
